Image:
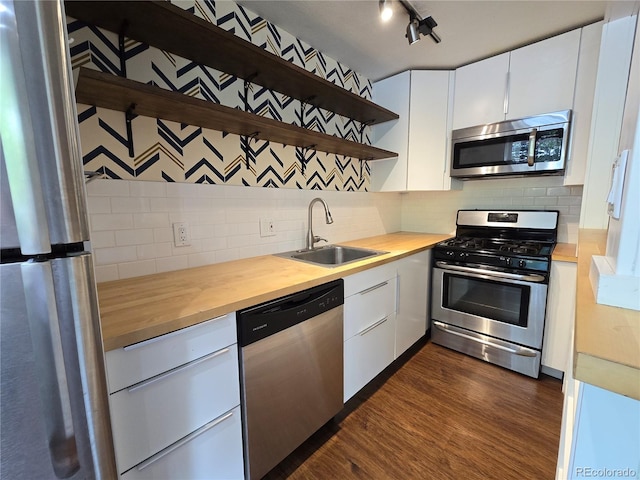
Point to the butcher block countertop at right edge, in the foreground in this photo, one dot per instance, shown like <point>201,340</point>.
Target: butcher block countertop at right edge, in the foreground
<point>607,339</point>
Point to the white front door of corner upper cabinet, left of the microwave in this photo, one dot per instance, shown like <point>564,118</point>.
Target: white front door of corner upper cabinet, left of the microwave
<point>428,131</point>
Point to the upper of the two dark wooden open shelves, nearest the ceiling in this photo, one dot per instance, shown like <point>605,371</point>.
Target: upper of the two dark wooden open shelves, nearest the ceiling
<point>175,30</point>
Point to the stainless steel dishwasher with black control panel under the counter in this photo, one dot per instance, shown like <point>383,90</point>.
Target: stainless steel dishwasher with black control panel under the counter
<point>291,362</point>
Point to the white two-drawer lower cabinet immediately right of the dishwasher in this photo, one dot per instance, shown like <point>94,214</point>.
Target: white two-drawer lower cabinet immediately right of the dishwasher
<point>369,325</point>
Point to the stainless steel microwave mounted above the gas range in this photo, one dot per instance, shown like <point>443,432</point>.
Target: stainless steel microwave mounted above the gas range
<point>532,145</point>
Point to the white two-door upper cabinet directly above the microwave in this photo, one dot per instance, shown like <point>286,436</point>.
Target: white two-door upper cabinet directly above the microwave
<point>538,78</point>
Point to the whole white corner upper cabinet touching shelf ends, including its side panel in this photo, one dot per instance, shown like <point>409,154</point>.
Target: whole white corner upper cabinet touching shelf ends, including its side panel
<point>421,134</point>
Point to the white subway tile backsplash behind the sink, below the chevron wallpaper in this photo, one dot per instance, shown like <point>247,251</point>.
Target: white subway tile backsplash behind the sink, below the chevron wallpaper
<point>131,232</point>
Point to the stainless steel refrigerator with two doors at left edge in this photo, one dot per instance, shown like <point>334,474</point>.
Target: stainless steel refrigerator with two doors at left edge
<point>53,397</point>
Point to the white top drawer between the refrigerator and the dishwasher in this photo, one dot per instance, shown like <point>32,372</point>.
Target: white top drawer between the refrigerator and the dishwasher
<point>134,363</point>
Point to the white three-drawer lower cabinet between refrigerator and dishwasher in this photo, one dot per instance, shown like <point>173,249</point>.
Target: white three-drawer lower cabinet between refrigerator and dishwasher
<point>174,403</point>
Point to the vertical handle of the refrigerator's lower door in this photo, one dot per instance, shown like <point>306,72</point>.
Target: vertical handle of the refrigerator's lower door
<point>50,369</point>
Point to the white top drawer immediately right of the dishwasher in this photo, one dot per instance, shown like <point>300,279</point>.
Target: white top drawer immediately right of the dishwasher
<point>367,307</point>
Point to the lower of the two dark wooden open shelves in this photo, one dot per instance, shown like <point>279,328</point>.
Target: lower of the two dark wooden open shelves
<point>117,93</point>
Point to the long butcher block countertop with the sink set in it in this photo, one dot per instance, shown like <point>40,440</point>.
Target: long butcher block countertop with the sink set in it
<point>136,309</point>
